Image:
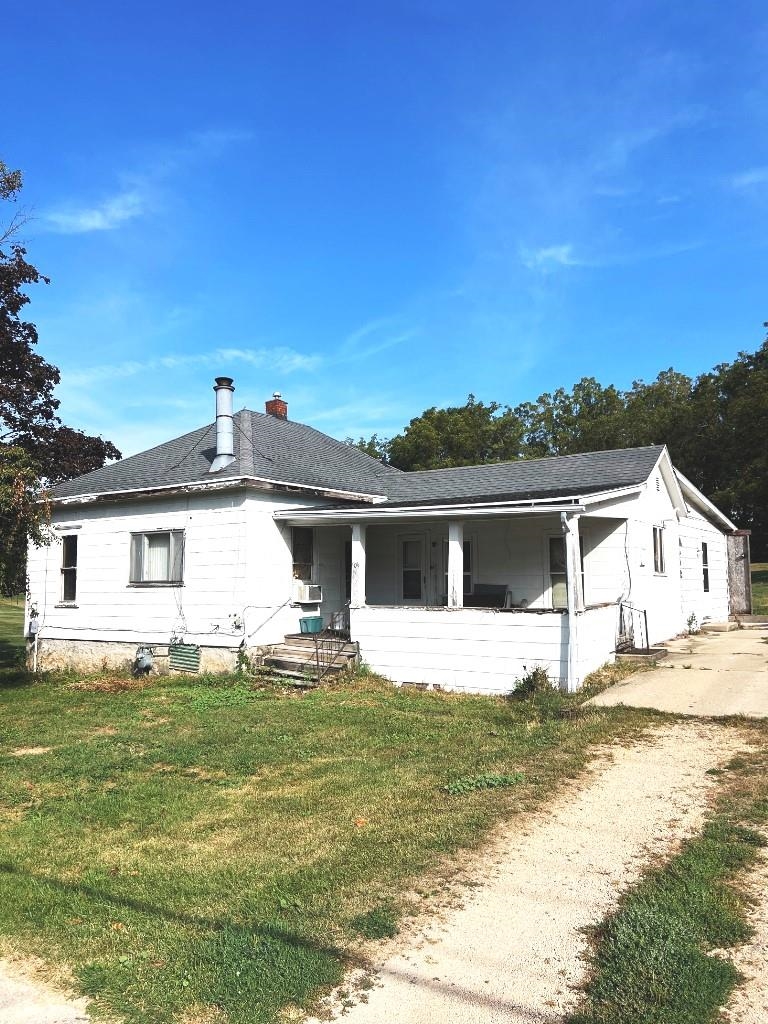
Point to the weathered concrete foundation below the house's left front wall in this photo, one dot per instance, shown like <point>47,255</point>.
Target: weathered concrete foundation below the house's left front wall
<point>99,656</point>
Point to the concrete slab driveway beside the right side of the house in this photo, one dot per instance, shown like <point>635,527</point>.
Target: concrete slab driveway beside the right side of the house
<point>709,675</point>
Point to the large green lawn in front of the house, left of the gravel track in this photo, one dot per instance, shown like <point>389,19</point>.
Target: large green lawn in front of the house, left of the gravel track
<point>196,850</point>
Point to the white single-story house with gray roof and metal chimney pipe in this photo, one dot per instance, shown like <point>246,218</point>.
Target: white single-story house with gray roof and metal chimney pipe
<point>227,538</point>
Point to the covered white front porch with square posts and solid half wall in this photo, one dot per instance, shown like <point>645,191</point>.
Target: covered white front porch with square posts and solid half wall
<point>473,604</point>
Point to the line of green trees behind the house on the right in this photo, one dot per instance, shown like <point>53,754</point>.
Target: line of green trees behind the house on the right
<point>715,426</point>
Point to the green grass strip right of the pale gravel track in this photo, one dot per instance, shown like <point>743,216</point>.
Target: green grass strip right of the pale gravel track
<point>653,960</point>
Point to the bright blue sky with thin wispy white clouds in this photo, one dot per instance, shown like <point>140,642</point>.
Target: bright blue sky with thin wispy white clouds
<point>377,207</point>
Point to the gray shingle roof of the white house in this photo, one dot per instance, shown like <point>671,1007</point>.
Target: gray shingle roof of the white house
<point>273,449</point>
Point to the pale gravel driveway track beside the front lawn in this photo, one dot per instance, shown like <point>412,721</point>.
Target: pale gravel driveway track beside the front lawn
<point>516,950</point>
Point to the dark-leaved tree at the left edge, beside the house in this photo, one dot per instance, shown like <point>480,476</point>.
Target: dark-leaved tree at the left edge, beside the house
<point>35,448</point>
